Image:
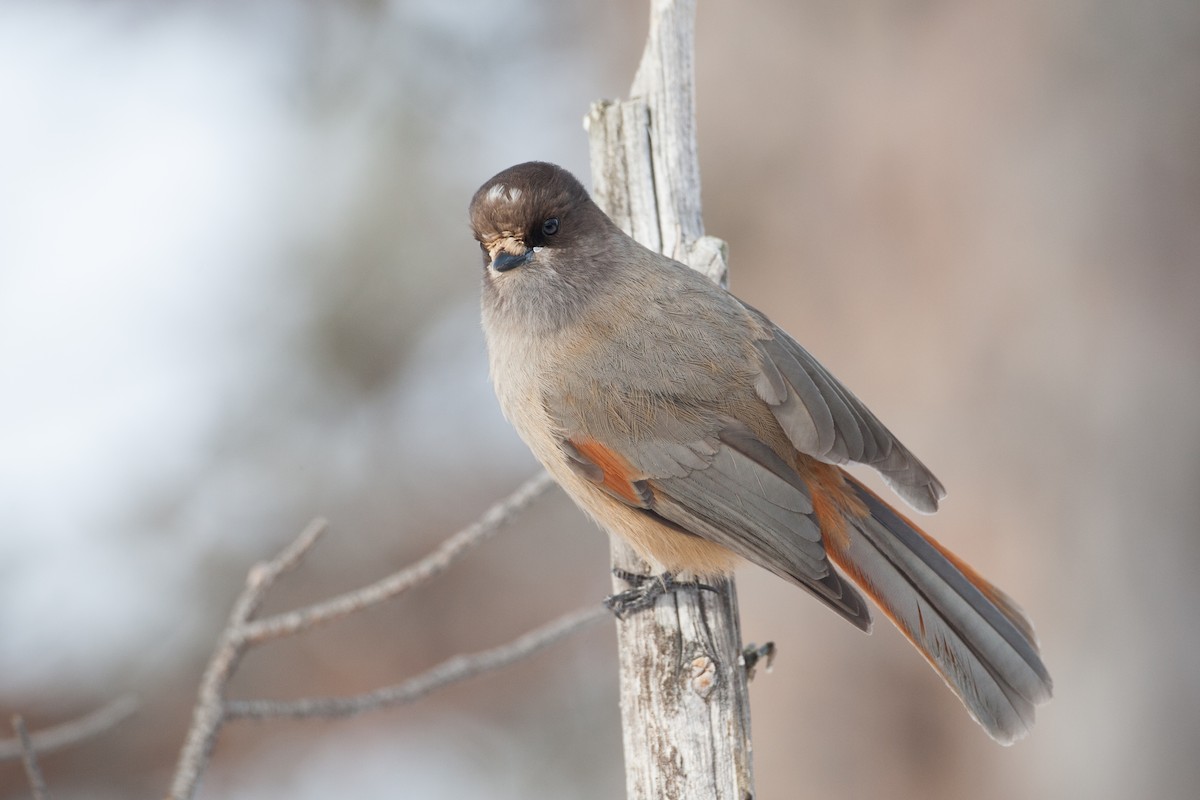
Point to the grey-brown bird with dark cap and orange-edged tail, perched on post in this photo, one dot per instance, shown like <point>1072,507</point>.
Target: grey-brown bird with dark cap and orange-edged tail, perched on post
<point>683,420</point>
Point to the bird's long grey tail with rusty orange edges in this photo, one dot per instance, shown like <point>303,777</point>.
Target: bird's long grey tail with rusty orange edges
<point>973,634</point>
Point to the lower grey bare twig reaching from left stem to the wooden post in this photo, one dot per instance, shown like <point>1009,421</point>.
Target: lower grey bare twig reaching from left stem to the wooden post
<point>452,671</point>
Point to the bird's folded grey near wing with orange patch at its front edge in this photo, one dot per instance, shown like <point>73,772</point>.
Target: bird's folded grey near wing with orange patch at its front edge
<point>733,490</point>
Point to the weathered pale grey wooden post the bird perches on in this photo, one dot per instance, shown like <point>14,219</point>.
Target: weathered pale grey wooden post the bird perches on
<point>683,687</point>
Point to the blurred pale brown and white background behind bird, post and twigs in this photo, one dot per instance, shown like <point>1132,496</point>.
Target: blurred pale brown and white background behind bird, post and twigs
<point>238,290</point>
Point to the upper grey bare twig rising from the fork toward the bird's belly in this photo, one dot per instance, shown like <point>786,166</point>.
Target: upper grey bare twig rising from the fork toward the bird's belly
<point>433,566</point>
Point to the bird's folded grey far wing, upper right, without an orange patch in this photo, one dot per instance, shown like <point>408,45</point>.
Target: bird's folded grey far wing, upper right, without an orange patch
<point>825,420</point>
